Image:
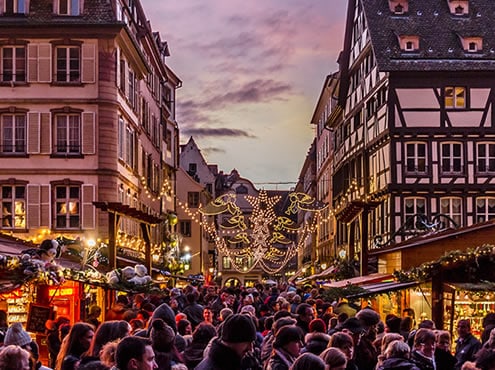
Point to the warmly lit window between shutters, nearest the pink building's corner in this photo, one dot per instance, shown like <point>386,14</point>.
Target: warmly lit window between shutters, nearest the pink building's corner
<point>67,210</point>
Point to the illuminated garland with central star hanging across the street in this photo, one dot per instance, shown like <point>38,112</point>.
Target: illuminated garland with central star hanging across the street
<point>263,232</point>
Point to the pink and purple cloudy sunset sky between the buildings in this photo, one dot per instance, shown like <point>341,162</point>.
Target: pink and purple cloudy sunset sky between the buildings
<point>252,71</point>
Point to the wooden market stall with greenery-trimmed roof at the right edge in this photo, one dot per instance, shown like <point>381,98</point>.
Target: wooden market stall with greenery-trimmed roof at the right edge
<point>450,264</point>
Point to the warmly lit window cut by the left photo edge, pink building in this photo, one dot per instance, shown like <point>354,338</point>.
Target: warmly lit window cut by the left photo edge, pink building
<point>13,207</point>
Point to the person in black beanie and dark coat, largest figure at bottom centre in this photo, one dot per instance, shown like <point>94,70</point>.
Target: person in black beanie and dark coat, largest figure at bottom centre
<point>227,351</point>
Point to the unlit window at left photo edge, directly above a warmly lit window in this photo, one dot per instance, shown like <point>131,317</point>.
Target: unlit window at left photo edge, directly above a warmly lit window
<point>13,133</point>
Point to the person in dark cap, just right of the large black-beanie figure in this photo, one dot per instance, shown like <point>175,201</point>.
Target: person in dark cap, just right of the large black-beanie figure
<point>286,348</point>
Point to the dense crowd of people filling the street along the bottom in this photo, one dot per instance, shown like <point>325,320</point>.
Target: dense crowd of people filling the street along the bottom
<point>259,328</point>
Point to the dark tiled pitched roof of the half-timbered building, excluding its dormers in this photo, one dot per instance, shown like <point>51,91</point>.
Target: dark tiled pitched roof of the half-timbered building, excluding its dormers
<point>440,48</point>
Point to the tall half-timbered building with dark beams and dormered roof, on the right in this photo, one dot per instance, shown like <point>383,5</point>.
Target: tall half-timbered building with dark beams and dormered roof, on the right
<point>414,125</point>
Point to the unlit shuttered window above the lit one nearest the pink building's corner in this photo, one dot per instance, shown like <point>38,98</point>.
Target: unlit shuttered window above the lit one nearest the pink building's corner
<point>68,134</point>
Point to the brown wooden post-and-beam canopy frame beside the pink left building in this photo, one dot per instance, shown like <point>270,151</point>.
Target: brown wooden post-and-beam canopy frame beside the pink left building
<point>115,212</point>
